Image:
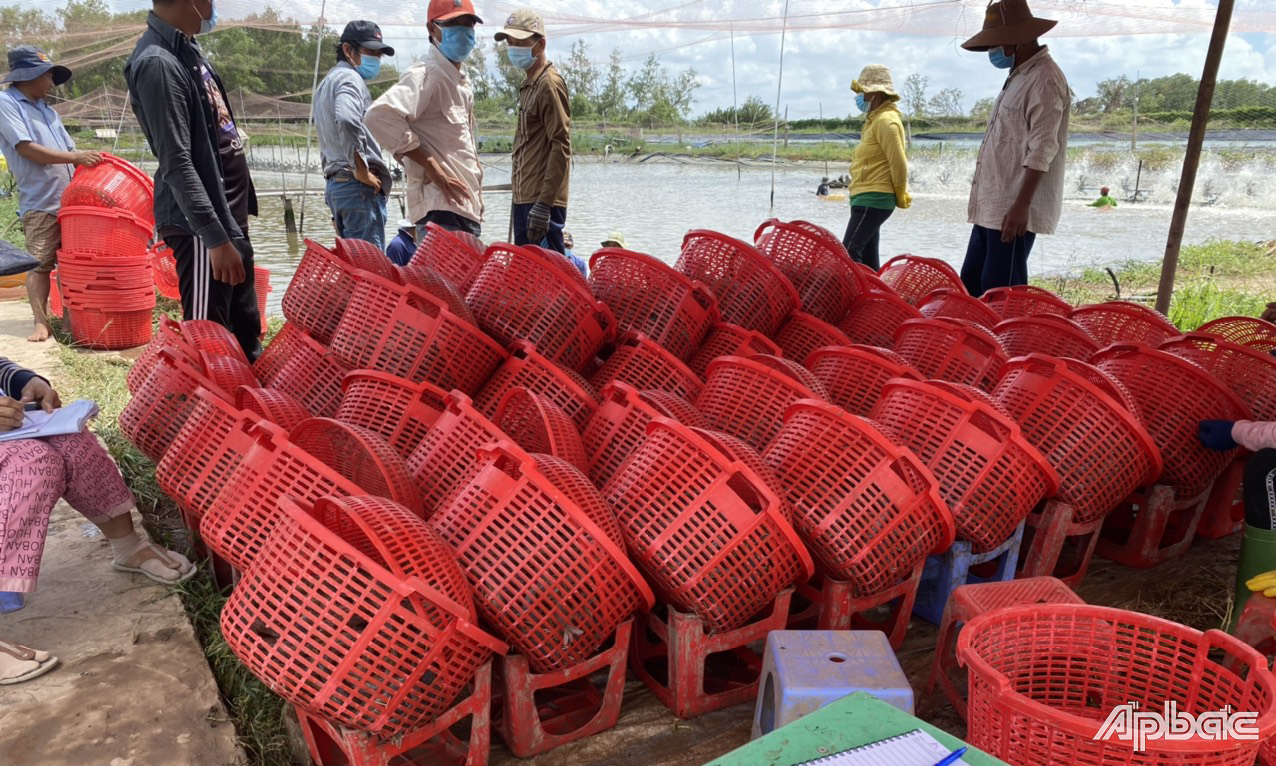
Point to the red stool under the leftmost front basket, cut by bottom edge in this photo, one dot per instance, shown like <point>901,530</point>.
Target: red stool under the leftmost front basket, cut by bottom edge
<point>436,745</point>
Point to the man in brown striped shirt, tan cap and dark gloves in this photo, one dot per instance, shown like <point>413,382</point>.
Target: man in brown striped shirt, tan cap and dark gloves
<point>543,140</point>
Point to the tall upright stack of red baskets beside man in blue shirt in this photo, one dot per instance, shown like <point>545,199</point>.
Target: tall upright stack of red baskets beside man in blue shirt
<point>108,285</point>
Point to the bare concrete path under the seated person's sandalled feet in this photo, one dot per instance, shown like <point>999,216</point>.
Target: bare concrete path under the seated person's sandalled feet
<point>135,689</point>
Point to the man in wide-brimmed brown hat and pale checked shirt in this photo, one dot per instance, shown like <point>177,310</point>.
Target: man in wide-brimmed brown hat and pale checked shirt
<point>1018,192</point>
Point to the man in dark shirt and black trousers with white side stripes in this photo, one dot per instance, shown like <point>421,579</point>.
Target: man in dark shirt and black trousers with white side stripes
<point>204,190</point>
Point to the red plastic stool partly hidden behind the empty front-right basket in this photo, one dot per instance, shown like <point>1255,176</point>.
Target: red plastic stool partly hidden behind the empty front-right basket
<point>972,601</point>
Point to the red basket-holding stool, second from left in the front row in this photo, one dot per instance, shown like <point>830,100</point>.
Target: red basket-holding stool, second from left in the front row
<point>531,722</point>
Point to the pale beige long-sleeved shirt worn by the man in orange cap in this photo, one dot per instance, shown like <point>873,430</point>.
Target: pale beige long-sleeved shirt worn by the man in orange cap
<point>432,107</point>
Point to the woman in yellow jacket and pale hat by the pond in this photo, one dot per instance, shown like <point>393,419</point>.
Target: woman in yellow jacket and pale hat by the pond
<point>880,169</point>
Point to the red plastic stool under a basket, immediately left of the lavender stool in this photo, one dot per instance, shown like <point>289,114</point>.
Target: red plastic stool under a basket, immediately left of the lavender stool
<point>673,658</point>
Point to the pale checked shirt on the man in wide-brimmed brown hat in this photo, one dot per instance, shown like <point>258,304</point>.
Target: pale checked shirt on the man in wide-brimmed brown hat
<point>1028,130</point>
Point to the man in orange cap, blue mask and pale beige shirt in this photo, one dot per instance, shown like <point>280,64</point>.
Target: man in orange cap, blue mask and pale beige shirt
<point>428,122</point>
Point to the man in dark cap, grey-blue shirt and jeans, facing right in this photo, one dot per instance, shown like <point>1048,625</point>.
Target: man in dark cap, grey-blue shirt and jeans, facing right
<point>358,178</point>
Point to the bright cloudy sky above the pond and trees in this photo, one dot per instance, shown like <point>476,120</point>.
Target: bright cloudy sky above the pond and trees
<point>829,41</point>
